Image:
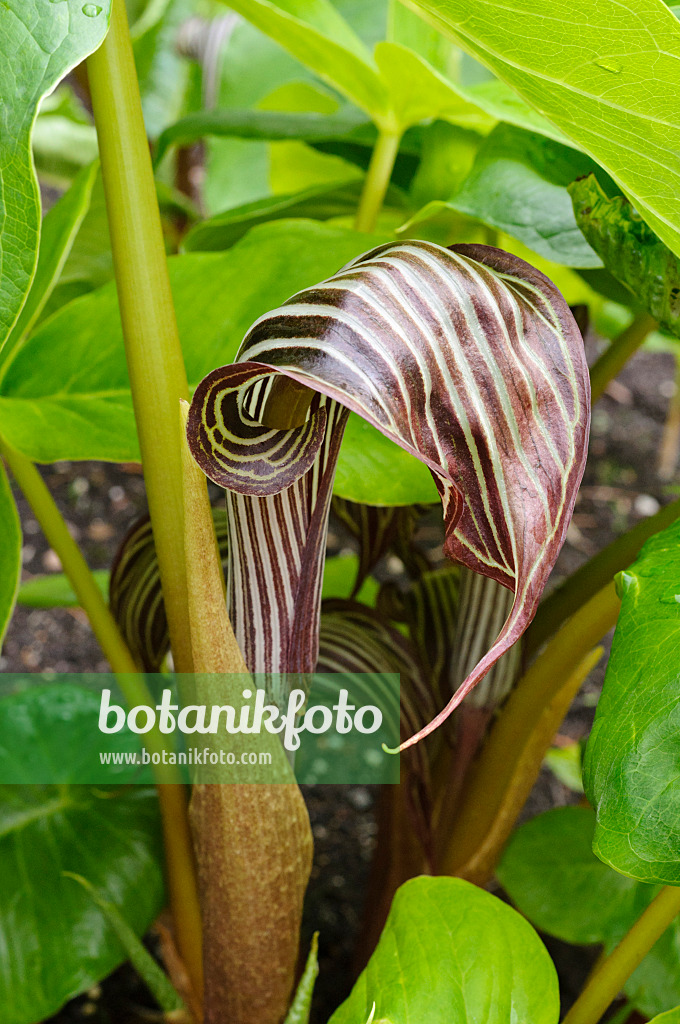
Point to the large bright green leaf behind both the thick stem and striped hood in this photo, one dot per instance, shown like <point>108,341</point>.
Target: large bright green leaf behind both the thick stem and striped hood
<point>59,402</point>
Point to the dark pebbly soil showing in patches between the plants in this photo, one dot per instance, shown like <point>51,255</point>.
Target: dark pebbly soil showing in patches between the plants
<point>101,502</point>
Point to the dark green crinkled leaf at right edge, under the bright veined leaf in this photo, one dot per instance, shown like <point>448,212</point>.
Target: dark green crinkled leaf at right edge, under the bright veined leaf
<point>630,250</point>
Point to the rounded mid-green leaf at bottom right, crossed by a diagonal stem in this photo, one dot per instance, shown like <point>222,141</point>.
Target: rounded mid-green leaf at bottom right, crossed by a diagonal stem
<point>551,875</point>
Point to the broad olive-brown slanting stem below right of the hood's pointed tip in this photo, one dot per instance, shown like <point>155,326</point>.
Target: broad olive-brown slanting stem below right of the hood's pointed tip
<point>533,709</point>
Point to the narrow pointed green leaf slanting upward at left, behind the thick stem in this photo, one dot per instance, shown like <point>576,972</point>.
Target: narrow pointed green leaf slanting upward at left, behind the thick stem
<point>59,232</point>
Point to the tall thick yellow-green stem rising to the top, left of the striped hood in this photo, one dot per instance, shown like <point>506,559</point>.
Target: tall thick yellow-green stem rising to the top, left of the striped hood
<point>158,378</point>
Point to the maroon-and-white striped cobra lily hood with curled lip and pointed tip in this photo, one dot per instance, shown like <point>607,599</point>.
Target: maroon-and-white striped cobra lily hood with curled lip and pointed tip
<point>469,359</point>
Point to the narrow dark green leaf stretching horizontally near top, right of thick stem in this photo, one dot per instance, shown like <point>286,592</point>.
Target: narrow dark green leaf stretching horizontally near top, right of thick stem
<point>306,126</point>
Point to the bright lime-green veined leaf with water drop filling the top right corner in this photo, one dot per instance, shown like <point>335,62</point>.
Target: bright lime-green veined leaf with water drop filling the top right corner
<point>607,74</point>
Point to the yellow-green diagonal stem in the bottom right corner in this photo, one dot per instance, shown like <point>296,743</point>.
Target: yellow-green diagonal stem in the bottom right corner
<point>608,982</point>
